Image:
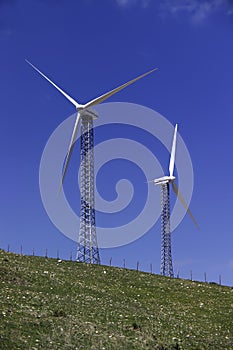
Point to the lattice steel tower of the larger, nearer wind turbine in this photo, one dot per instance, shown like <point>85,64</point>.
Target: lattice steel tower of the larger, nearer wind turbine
<point>87,251</point>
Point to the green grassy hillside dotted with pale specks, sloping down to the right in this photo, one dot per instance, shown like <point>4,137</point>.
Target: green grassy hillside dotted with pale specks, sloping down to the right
<point>47,304</point>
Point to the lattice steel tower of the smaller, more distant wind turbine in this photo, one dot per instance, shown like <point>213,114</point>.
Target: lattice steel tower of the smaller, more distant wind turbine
<point>166,268</point>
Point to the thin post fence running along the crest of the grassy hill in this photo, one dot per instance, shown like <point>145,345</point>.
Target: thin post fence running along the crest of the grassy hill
<point>72,257</point>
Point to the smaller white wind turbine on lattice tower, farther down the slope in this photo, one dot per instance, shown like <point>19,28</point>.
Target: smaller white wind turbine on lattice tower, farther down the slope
<point>166,267</point>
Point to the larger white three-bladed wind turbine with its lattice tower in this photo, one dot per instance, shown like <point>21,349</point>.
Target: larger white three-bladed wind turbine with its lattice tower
<point>87,240</point>
